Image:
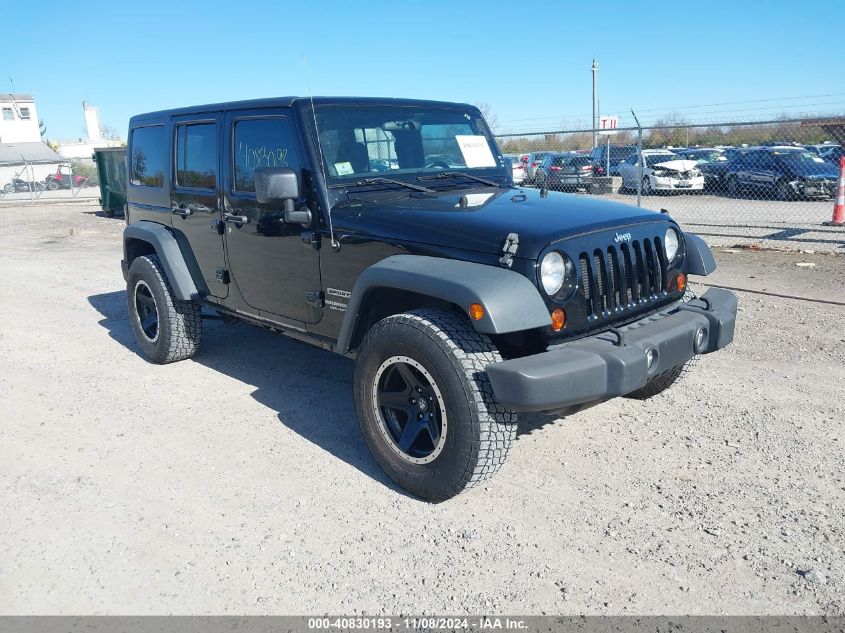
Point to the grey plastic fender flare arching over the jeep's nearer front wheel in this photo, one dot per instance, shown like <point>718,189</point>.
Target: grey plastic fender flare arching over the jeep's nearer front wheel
<point>511,302</point>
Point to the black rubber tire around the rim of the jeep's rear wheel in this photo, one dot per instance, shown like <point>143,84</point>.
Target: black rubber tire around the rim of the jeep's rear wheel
<point>179,322</point>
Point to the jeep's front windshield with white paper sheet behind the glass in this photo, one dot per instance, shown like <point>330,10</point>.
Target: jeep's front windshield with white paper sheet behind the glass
<point>360,143</point>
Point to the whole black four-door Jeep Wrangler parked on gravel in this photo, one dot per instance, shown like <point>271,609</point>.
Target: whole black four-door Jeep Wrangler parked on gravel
<point>390,231</point>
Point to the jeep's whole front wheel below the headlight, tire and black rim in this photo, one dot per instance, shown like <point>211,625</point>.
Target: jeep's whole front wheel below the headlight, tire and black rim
<point>425,404</point>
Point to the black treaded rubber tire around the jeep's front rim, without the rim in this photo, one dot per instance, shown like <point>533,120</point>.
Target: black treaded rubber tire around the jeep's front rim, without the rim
<point>480,431</point>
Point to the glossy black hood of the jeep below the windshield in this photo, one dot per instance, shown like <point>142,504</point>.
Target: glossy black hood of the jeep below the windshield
<point>481,219</point>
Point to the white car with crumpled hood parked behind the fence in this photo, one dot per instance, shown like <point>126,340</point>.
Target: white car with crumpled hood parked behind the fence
<point>662,171</point>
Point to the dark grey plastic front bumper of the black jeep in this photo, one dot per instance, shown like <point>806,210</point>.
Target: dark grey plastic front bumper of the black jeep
<point>605,365</point>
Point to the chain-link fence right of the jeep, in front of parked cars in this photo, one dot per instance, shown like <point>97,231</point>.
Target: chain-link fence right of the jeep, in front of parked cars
<point>771,183</point>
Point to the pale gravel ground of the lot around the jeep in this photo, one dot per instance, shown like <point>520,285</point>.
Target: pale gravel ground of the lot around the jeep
<point>238,483</point>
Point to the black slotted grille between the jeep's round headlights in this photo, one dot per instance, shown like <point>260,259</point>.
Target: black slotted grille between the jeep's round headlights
<point>622,277</point>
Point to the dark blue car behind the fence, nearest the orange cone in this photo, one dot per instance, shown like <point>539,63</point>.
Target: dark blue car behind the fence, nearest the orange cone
<point>786,172</point>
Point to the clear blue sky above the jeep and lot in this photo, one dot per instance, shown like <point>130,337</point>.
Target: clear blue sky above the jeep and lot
<point>705,60</point>
